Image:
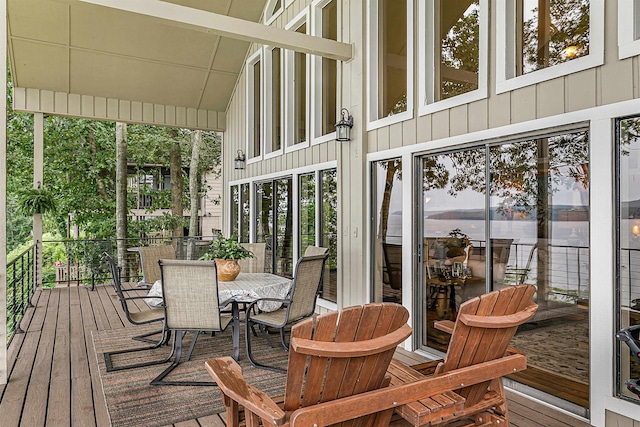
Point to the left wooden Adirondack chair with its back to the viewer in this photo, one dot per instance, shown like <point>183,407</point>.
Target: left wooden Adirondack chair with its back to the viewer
<point>332,356</point>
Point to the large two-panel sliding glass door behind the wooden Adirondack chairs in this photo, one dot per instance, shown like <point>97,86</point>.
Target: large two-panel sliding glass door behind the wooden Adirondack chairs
<point>507,214</point>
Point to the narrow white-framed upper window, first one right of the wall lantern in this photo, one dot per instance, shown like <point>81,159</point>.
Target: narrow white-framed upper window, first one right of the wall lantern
<point>391,50</point>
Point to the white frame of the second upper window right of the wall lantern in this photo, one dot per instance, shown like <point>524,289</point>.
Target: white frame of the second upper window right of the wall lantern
<point>426,58</point>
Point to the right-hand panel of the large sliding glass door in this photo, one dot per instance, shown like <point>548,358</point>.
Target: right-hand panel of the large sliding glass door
<point>539,231</point>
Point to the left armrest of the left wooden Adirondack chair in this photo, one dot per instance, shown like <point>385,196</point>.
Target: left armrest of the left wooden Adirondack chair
<point>228,375</point>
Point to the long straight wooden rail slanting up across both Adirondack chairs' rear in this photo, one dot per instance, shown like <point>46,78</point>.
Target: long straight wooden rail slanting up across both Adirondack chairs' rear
<point>328,413</point>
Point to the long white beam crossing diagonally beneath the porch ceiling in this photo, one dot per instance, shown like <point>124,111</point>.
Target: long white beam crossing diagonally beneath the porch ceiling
<point>234,28</point>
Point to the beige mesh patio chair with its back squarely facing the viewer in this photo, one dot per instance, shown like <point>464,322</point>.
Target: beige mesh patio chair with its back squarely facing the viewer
<point>190,291</point>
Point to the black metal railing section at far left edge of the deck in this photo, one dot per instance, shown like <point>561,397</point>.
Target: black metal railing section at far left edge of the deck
<point>20,289</point>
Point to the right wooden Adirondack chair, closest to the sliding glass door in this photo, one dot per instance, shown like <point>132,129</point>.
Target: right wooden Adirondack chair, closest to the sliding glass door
<point>480,337</point>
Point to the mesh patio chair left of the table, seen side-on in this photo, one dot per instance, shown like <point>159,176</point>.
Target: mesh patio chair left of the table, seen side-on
<point>136,317</point>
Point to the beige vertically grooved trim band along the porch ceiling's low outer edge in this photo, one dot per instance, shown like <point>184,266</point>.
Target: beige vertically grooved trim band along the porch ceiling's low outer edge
<point>98,108</point>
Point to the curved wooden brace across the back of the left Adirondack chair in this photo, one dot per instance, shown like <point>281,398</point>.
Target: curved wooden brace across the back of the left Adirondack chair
<point>351,349</point>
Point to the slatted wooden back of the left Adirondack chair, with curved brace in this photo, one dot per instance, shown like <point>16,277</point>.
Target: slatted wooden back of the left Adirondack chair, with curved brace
<point>313,380</point>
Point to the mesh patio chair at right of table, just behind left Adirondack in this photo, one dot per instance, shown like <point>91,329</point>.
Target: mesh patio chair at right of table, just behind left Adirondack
<point>300,304</point>
